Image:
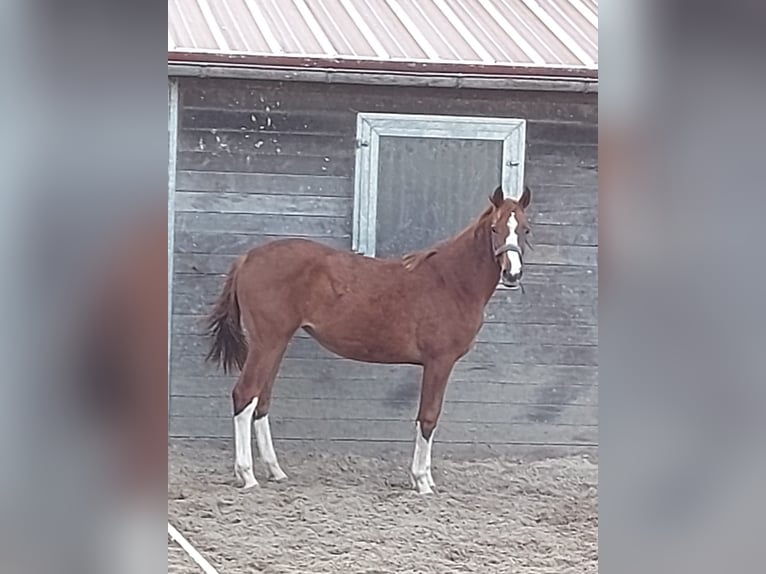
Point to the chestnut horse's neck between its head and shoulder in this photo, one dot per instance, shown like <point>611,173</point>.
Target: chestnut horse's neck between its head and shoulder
<point>473,270</point>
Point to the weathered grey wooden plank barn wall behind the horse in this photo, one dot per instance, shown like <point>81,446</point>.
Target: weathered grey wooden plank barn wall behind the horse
<point>262,160</point>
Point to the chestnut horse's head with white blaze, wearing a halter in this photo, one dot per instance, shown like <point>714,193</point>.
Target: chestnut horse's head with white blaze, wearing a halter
<point>510,234</point>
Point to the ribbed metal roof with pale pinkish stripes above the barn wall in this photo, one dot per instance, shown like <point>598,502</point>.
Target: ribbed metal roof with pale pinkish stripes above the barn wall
<point>534,37</point>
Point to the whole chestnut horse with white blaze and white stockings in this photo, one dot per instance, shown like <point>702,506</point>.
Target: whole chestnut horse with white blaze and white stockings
<point>424,309</point>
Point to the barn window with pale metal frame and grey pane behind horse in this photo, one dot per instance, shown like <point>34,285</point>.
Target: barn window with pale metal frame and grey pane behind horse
<point>420,179</point>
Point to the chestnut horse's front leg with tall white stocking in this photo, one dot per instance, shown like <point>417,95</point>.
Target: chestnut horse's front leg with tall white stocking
<point>435,376</point>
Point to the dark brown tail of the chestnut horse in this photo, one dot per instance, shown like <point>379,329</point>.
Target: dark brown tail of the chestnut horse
<point>229,346</point>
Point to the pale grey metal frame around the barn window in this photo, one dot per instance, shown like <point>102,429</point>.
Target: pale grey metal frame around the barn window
<point>370,126</point>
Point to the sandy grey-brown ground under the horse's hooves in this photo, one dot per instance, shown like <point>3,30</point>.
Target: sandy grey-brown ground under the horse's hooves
<point>357,514</point>
